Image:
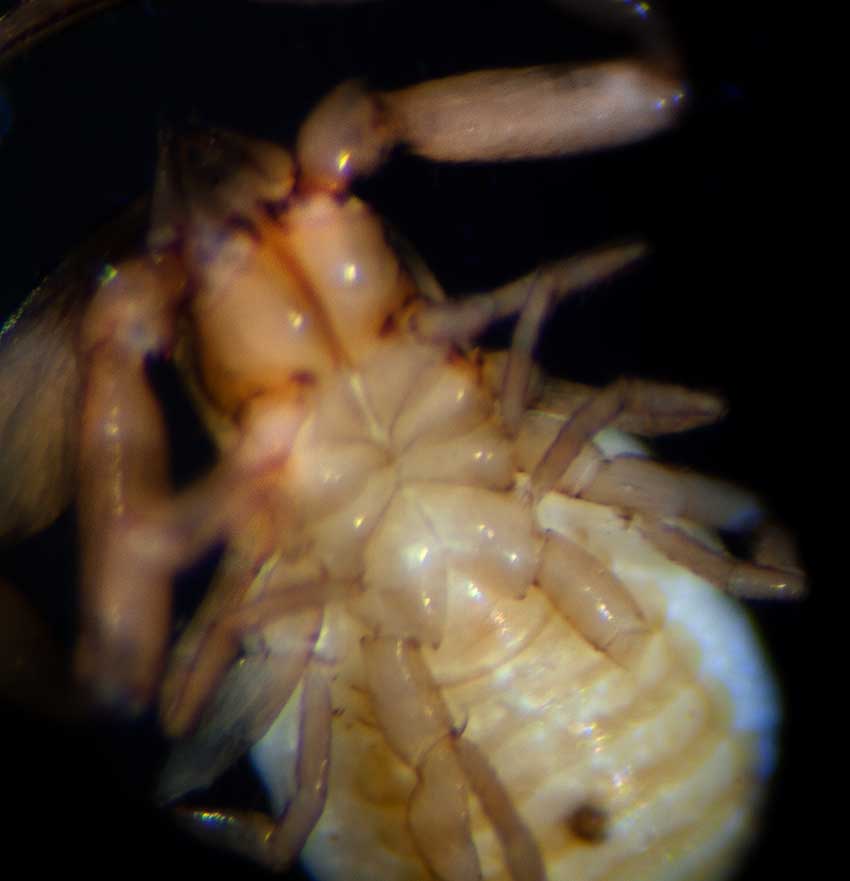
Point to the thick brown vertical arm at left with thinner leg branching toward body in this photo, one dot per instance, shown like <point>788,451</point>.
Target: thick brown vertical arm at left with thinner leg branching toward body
<point>136,534</point>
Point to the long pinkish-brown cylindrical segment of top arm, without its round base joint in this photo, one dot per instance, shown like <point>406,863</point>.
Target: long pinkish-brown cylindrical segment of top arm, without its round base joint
<point>553,111</point>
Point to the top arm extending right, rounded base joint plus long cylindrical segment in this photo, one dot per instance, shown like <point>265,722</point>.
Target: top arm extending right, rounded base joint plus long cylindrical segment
<point>552,111</point>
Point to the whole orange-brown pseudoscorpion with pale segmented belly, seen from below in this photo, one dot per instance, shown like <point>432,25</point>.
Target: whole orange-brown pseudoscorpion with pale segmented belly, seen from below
<point>464,625</point>
